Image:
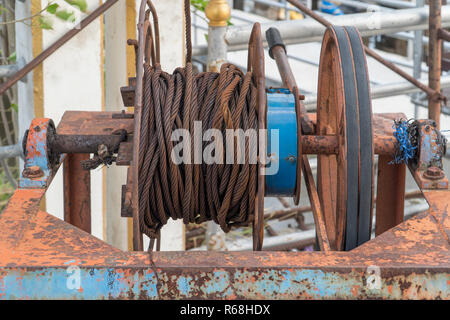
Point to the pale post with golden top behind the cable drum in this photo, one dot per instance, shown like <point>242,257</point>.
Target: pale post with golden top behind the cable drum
<point>218,12</point>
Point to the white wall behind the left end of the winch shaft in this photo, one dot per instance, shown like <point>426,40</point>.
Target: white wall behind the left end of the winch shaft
<point>73,80</point>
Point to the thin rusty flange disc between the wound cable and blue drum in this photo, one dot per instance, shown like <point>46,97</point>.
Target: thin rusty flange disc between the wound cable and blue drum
<point>256,66</point>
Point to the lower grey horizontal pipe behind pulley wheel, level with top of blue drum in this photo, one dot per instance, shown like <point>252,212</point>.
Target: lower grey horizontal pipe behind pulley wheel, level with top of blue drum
<point>383,91</point>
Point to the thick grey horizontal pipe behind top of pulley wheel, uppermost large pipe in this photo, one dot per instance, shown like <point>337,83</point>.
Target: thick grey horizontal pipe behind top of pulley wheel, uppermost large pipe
<point>309,30</point>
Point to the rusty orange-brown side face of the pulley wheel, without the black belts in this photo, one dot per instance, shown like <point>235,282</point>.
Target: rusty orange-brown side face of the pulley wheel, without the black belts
<point>332,169</point>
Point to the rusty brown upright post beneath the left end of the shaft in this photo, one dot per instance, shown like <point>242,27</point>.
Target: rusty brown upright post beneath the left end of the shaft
<point>77,192</point>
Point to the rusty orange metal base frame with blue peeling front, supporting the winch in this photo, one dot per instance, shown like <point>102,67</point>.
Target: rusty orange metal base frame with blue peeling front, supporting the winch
<point>40,253</point>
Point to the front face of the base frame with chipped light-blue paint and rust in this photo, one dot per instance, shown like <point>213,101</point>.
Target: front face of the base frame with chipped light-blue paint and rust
<point>220,283</point>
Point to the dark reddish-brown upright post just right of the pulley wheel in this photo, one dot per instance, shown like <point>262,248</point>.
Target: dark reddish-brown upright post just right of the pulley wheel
<point>390,203</point>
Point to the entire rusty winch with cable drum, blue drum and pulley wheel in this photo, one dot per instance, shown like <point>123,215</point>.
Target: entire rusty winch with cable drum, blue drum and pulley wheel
<point>345,136</point>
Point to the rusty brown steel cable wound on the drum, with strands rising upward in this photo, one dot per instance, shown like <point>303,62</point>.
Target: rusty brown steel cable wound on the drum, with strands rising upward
<point>224,193</point>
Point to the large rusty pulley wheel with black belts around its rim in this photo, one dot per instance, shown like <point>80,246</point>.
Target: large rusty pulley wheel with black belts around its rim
<point>345,180</point>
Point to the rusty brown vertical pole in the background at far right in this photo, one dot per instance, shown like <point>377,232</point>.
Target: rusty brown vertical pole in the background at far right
<point>434,60</point>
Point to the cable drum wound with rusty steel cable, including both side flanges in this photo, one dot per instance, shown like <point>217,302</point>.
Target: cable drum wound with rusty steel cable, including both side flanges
<point>229,194</point>
